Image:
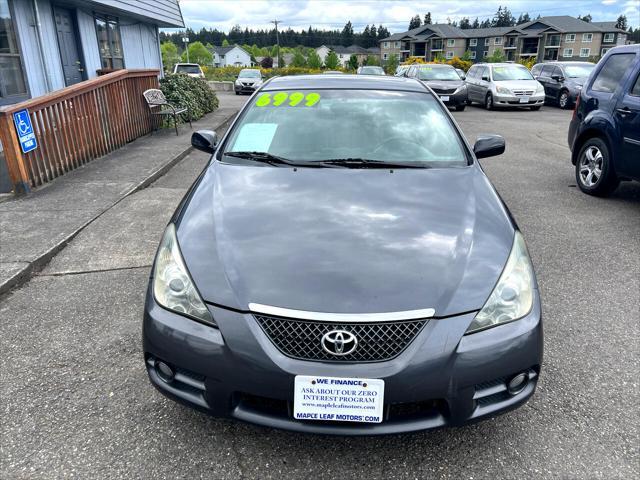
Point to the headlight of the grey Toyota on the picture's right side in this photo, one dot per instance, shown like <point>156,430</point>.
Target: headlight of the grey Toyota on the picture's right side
<point>512,297</point>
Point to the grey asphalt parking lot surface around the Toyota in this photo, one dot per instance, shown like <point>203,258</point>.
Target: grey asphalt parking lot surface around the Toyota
<point>76,400</point>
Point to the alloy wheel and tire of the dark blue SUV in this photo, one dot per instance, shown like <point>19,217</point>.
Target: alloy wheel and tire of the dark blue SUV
<point>594,160</point>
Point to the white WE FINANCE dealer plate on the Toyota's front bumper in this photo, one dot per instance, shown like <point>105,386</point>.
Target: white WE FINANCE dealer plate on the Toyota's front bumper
<point>338,399</point>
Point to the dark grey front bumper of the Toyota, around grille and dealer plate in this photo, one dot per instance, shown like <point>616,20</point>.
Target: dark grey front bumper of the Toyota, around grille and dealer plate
<point>443,378</point>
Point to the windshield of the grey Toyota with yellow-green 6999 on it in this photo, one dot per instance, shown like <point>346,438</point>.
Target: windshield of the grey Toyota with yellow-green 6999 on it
<point>348,125</point>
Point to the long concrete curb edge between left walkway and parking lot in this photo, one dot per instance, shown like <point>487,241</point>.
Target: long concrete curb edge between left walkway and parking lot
<point>34,266</point>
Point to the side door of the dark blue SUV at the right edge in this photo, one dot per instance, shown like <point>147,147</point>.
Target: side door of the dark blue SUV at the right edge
<point>628,119</point>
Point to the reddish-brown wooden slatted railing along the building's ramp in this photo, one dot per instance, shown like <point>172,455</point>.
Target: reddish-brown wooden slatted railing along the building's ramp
<point>76,125</point>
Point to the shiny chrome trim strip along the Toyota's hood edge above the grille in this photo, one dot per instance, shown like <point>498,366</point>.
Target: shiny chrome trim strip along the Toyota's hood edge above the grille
<point>341,317</point>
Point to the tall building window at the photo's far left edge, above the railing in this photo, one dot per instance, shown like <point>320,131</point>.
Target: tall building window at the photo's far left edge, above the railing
<point>12,82</point>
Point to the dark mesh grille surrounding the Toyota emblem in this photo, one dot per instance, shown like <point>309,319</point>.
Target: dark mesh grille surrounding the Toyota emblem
<point>377,341</point>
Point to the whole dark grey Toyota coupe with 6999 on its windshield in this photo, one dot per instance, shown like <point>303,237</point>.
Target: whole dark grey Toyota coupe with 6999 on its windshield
<point>343,265</point>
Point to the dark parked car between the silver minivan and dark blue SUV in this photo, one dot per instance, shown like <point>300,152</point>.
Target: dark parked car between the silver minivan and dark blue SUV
<point>562,81</point>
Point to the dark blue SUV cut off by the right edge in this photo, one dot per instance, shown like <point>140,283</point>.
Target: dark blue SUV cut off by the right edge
<point>604,135</point>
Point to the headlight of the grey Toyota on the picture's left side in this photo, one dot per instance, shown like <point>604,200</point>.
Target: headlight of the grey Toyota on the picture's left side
<point>172,285</point>
